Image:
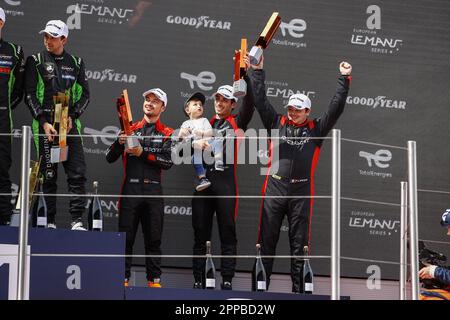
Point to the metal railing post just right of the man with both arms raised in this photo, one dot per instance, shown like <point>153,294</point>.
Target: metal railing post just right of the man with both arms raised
<point>335,214</point>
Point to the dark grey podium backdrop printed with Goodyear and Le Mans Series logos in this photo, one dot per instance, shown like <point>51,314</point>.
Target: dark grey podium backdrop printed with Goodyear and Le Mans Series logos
<point>399,52</point>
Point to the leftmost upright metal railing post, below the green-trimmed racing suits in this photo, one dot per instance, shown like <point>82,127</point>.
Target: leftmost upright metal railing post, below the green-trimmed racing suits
<point>23,227</point>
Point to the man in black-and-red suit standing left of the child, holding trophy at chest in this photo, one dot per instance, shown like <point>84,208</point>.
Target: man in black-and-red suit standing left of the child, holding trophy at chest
<point>143,166</point>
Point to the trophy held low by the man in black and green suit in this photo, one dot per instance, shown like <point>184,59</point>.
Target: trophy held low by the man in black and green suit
<point>59,149</point>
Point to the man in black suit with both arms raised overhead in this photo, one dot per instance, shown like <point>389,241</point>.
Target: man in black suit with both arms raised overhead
<point>297,160</point>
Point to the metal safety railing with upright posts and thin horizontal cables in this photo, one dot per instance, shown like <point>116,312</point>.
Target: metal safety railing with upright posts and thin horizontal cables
<point>408,218</point>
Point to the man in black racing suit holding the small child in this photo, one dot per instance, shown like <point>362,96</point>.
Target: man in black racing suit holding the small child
<point>223,183</point>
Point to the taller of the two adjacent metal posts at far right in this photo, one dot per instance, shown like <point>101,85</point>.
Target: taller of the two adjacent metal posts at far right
<point>413,226</point>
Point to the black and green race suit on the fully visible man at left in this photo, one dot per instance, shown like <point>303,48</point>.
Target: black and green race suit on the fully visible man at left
<point>46,75</point>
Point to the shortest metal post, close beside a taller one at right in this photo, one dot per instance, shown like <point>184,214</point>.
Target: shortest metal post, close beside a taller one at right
<point>403,238</point>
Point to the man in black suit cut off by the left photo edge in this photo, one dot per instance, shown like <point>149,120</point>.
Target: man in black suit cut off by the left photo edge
<point>12,67</point>
